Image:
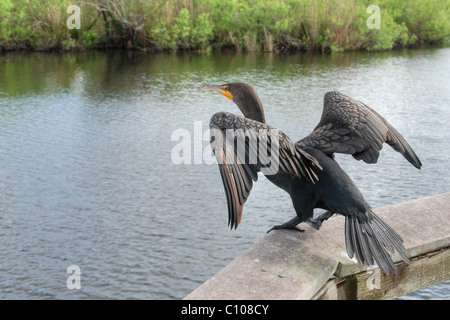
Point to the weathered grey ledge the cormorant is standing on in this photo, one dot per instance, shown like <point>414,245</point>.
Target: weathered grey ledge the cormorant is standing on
<point>293,265</point>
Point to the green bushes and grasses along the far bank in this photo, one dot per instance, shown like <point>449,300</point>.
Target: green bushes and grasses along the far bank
<point>252,25</point>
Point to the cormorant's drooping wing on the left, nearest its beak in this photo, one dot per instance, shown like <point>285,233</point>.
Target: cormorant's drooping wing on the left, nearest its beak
<point>244,147</point>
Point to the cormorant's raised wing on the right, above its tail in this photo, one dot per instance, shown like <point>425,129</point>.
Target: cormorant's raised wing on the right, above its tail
<point>349,126</point>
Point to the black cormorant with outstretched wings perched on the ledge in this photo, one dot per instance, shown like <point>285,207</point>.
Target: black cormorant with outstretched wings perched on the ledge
<point>307,169</point>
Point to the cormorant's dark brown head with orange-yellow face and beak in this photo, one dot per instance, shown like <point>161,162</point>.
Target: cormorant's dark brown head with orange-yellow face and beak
<point>244,96</point>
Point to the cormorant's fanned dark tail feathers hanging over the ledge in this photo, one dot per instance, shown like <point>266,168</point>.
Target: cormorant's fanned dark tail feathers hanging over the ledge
<point>370,239</point>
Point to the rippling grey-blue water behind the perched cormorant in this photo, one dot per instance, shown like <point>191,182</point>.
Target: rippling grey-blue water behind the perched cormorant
<point>86,176</point>
